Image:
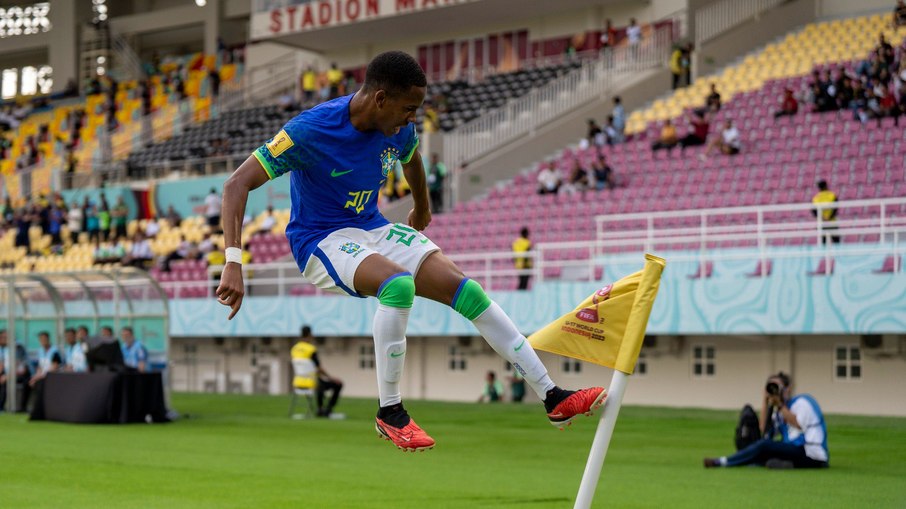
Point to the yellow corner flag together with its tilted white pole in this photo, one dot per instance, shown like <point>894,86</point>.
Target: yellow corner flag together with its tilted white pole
<point>607,328</point>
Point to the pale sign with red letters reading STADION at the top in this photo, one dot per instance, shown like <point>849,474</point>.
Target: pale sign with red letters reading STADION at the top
<point>317,14</point>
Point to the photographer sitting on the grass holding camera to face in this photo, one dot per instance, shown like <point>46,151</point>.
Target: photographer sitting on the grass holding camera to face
<point>799,422</point>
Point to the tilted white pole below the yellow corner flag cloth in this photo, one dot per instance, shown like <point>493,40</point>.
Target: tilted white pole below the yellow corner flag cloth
<point>602,440</point>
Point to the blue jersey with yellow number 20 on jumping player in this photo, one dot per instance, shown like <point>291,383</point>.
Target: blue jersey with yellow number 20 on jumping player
<point>336,172</point>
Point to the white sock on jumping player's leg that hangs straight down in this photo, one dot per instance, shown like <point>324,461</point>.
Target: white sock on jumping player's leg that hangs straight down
<point>390,351</point>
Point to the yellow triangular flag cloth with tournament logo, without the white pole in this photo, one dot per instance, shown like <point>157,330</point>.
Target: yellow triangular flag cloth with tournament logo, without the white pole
<point>608,327</point>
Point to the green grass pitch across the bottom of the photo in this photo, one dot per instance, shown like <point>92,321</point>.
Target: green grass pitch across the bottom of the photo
<point>243,452</point>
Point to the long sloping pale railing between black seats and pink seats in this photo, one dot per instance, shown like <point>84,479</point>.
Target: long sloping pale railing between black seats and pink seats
<point>522,116</point>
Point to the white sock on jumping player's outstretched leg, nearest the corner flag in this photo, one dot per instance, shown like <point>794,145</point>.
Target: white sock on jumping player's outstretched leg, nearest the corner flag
<point>503,336</point>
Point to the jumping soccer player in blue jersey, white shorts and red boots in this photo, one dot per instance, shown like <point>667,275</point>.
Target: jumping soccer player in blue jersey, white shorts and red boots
<point>338,155</point>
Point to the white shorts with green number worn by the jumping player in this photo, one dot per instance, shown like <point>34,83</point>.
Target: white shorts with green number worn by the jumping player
<point>332,265</point>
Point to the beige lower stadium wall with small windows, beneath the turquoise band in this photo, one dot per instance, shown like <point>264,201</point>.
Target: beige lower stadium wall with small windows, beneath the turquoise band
<point>741,365</point>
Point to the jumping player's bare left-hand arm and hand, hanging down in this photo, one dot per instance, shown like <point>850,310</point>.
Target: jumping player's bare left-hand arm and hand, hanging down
<point>250,175</point>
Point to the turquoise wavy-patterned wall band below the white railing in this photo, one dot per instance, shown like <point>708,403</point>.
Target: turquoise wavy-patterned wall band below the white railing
<point>853,301</point>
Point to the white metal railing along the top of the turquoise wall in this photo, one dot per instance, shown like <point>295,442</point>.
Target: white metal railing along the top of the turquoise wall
<point>760,234</point>
